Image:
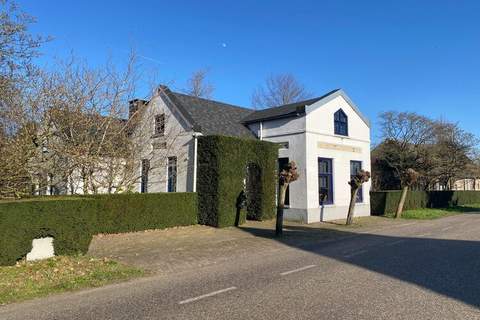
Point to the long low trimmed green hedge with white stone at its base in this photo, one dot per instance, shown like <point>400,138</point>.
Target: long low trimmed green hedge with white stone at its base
<point>72,221</point>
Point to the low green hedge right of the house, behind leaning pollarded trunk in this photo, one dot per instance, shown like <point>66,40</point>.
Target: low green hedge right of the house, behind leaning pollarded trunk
<point>386,201</point>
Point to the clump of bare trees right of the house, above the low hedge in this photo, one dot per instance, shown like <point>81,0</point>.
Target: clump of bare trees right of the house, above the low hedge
<point>439,151</point>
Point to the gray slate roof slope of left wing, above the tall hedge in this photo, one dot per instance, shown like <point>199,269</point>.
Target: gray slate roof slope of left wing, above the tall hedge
<point>211,117</point>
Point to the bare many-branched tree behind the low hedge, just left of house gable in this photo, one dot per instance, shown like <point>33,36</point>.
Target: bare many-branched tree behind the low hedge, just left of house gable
<point>83,134</point>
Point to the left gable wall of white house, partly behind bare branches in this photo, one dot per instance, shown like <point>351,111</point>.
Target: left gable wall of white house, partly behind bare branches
<point>165,149</point>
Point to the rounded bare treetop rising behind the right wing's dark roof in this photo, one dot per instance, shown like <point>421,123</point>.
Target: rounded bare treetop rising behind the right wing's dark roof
<point>279,90</point>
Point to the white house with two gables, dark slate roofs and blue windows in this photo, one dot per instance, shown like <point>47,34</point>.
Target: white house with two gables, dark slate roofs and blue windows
<point>327,137</point>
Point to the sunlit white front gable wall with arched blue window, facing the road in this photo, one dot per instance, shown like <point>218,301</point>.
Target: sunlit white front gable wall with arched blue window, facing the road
<point>339,149</point>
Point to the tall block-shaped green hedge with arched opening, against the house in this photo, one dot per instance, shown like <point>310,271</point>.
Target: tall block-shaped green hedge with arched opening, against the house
<point>222,169</point>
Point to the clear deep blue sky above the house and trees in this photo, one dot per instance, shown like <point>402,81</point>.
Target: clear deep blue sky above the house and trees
<point>421,56</point>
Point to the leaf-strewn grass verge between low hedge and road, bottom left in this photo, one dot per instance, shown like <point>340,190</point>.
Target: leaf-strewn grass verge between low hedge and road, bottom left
<point>28,280</point>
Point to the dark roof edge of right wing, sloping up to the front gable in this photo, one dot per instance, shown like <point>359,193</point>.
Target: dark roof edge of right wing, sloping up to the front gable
<point>288,110</point>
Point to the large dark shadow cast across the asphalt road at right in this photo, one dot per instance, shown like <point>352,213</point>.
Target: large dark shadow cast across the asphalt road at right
<point>448,267</point>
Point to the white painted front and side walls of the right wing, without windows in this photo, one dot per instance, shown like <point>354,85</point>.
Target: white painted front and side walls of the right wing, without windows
<point>304,135</point>
